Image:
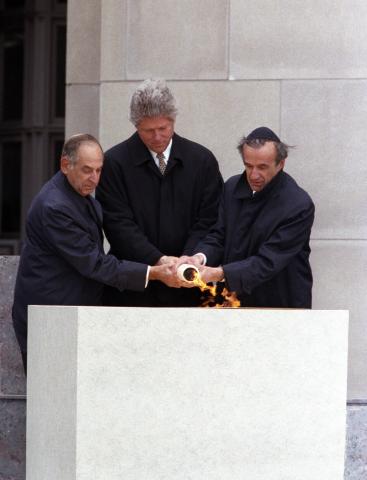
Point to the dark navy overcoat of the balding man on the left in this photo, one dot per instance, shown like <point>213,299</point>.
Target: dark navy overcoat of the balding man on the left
<point>62,261</point>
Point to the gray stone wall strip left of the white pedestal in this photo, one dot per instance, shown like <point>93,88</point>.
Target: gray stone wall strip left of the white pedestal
<point>12,382</point>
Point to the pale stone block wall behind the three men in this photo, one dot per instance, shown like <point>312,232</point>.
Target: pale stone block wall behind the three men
<point>298,67</point>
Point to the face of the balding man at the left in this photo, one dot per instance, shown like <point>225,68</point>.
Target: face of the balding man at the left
<point>84,175</point>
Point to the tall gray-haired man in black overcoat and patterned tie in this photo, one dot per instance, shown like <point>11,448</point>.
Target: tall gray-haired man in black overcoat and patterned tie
<point>159,193</point>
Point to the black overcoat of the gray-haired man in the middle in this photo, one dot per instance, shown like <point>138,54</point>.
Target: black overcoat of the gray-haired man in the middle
<point>147,215</point>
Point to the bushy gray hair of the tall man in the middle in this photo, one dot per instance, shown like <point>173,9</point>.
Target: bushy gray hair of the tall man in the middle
<point>152,99</point>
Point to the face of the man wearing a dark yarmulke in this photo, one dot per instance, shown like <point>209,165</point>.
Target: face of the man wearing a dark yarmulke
<point>260,165</point>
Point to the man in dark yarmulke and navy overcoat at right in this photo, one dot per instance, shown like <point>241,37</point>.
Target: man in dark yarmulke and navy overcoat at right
<point>261,239</point>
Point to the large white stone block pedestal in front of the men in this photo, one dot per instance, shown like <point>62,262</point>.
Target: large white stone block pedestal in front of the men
<point>178,394</point>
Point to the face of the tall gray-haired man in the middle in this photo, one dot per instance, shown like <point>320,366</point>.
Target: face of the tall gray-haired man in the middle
<point>156,132</point>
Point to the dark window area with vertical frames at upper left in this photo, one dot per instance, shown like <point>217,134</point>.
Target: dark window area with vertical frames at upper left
<point>32,96</point>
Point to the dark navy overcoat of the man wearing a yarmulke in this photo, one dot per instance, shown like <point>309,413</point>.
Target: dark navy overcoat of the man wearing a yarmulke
<point>262,240</point>
